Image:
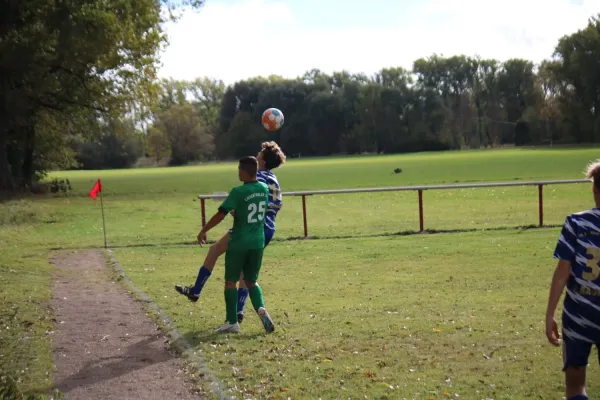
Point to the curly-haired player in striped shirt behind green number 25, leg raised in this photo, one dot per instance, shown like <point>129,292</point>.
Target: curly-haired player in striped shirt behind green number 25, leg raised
<point>269,158</point>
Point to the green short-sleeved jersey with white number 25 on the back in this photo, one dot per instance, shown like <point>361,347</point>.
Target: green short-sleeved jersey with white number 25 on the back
<point>249,201</point>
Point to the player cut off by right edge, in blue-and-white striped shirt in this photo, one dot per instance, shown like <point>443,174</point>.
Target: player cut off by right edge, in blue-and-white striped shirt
<point>578,252</point>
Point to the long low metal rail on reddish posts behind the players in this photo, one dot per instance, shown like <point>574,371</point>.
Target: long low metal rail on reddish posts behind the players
<point>418,189</point>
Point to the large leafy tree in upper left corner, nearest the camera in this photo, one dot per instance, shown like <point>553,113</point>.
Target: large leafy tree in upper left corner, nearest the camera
<point>73,58</point>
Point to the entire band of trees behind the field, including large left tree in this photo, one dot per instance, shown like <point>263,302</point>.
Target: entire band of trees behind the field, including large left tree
<point>78,97</point>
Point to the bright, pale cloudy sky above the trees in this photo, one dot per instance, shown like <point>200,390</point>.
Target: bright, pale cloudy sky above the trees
<point>233,40</point>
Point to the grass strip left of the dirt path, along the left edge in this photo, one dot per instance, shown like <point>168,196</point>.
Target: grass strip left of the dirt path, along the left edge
<point>25,315</point>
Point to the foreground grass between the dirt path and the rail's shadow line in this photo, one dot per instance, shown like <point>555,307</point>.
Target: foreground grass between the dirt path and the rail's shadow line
<point>416,317</point>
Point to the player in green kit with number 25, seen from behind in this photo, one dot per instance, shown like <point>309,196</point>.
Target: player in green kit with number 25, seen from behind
<point>246,243</point>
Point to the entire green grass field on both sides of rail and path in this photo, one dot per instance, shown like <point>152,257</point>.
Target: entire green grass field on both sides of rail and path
<point>361,313</point>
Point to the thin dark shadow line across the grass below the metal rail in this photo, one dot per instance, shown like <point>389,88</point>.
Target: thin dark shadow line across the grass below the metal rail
<point>521,228</point>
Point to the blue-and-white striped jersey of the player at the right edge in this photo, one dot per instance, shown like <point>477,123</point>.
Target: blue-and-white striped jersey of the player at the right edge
<point>579,243</point>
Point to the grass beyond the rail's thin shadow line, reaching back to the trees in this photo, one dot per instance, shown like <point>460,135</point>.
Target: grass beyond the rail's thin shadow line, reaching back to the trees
<point>160,206</point>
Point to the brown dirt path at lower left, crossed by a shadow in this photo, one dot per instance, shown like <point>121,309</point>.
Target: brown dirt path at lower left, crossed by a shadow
<point>105,346</point>
